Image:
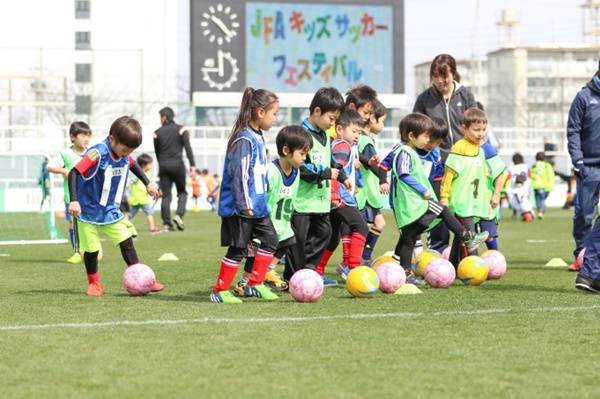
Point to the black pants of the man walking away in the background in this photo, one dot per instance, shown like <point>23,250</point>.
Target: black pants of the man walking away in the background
<point>169,174</point>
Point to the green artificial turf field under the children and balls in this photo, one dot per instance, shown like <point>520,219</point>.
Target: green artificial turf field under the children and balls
<point>529,335</point>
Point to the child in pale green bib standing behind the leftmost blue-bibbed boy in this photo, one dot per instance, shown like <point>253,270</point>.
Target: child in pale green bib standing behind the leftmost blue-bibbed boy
<point>80,135</point>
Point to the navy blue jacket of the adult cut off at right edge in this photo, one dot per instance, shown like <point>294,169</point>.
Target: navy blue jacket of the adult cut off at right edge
<point>583,126</point>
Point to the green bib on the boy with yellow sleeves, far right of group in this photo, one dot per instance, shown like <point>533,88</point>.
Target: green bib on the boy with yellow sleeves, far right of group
<point>468,192</point>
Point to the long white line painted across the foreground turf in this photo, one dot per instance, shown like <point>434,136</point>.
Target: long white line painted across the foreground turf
<point>295,319</point>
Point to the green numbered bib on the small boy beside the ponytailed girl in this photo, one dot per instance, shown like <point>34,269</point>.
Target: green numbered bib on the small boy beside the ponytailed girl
<point>281,201</point>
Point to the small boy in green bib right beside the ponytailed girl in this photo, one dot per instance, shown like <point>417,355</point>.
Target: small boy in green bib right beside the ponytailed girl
<point>293,143</point>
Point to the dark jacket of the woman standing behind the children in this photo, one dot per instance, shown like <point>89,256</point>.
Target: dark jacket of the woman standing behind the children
<point>432,103</point>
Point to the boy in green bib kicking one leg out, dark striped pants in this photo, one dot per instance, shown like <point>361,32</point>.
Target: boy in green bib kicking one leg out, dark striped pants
<point>416,208</point>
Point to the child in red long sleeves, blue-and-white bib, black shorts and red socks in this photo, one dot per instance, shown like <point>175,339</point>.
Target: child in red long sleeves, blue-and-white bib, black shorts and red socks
<point>344,210</point>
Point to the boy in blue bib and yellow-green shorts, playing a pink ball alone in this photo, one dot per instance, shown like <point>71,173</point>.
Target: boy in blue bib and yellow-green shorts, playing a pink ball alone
<point>96,186</point>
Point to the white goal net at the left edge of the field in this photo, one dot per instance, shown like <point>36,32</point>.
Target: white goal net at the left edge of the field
<point>29,200</point>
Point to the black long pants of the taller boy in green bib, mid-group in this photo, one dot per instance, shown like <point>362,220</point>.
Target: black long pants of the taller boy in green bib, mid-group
<point>312,231</point>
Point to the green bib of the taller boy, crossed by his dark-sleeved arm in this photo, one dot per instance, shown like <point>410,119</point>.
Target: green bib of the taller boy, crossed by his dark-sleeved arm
<point>316,198</point>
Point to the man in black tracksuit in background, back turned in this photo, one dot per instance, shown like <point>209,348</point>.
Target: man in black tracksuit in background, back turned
<point>169,141</point>
